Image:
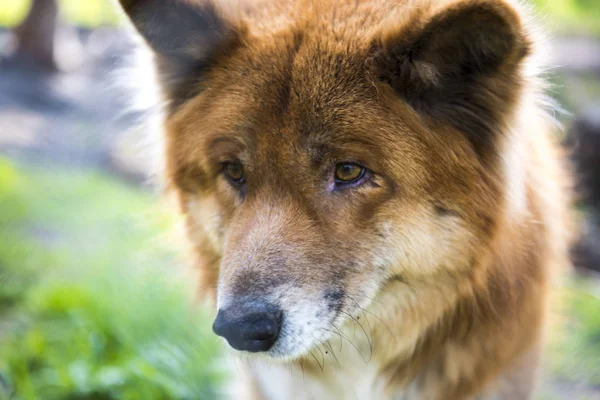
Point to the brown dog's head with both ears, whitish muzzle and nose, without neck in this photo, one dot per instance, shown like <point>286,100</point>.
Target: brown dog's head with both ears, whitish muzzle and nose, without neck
<point>325,154</point>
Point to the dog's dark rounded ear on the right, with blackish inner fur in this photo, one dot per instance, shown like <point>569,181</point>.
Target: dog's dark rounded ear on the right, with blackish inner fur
<point>459,64</point>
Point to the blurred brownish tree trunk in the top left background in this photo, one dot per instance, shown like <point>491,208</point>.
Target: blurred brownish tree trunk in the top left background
<point>36,35</point>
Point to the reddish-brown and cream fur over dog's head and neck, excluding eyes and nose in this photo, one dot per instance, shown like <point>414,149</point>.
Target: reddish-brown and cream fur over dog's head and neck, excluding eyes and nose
<point>448,251</point>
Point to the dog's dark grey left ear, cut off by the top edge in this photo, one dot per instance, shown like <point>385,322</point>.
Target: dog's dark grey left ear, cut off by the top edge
<point>187,37</point>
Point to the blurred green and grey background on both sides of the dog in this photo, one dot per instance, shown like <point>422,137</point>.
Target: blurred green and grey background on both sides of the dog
<point>95,301</point>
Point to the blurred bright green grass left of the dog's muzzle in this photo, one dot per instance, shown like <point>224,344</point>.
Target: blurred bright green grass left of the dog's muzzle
<point>92,305</point>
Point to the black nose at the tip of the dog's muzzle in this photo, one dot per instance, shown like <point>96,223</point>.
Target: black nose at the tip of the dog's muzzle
<point>251,326</point>
